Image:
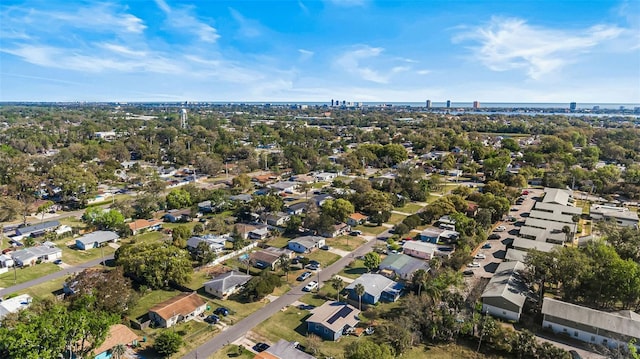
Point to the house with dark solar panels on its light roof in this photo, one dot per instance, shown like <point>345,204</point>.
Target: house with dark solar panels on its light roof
<point>330,320</point>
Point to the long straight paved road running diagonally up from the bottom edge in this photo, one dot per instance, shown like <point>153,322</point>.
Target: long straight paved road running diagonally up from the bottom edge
<point>239,329</point>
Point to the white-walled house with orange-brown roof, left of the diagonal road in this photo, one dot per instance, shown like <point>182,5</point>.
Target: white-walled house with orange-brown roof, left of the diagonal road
<point>181,308</point>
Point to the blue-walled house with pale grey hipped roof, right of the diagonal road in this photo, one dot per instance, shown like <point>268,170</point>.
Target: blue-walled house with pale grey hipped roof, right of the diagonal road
<point>376,288</point>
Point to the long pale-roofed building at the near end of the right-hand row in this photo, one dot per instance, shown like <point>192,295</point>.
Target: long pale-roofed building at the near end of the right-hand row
<point>506,293</point>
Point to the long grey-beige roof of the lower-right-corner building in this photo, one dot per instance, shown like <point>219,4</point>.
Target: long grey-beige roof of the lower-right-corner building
<point>613,322</point>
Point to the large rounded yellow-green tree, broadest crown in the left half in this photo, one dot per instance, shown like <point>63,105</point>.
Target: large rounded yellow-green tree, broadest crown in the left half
<point>155,264</point>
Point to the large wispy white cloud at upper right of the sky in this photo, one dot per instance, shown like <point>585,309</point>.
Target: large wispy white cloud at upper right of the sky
<point>508,44</point>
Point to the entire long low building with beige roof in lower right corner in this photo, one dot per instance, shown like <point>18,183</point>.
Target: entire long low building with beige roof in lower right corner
<point>592,326</point>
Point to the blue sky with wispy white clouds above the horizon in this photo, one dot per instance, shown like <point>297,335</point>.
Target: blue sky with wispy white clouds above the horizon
<point>318,50</point>
